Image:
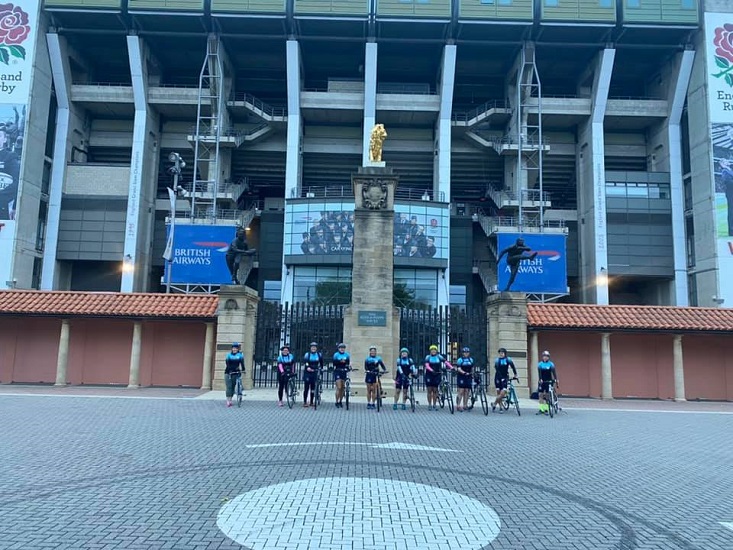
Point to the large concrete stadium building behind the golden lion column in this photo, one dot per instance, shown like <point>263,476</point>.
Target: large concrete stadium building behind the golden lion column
<point>601,127</point>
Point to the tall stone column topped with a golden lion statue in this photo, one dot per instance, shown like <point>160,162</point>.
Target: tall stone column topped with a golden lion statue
<point>371,319</point>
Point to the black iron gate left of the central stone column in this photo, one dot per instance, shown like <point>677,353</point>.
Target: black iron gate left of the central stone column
<point>296,325</point>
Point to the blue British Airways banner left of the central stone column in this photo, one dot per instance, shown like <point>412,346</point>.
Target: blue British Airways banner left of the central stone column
<point>199,254</point>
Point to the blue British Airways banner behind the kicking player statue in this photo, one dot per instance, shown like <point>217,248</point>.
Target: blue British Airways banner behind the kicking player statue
<point>532,263</point>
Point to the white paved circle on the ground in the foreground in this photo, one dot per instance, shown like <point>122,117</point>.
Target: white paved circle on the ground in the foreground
<point>357,513</point>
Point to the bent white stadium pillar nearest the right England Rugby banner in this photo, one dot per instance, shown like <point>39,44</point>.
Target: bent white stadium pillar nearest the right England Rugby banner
<point>677,194</point>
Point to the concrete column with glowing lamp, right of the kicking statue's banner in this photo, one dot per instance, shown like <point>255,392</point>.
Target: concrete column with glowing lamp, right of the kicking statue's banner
<point>592,188</point>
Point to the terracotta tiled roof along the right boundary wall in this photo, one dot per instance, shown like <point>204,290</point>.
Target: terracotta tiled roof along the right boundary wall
<point>665,318</point>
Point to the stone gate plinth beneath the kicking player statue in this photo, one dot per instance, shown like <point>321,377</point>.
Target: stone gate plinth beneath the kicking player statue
<point>506,313</point>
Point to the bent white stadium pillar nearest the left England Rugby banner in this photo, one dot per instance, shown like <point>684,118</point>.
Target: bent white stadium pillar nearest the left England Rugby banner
<point>62,82</point>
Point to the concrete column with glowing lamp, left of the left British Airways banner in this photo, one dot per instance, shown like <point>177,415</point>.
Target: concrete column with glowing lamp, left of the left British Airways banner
<point>143,164</point>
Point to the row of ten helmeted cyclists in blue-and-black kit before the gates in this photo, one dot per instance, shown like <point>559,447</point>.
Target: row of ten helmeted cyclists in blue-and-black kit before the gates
<point>434,366</point>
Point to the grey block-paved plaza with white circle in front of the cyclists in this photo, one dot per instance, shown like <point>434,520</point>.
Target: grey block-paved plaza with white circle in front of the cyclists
<point>177,470</point>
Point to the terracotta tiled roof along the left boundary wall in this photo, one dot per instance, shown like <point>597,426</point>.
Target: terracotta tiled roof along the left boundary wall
<point>107,304</point>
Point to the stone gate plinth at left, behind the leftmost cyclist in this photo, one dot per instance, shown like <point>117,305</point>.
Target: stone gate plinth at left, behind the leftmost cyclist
<point>235,322</point>
